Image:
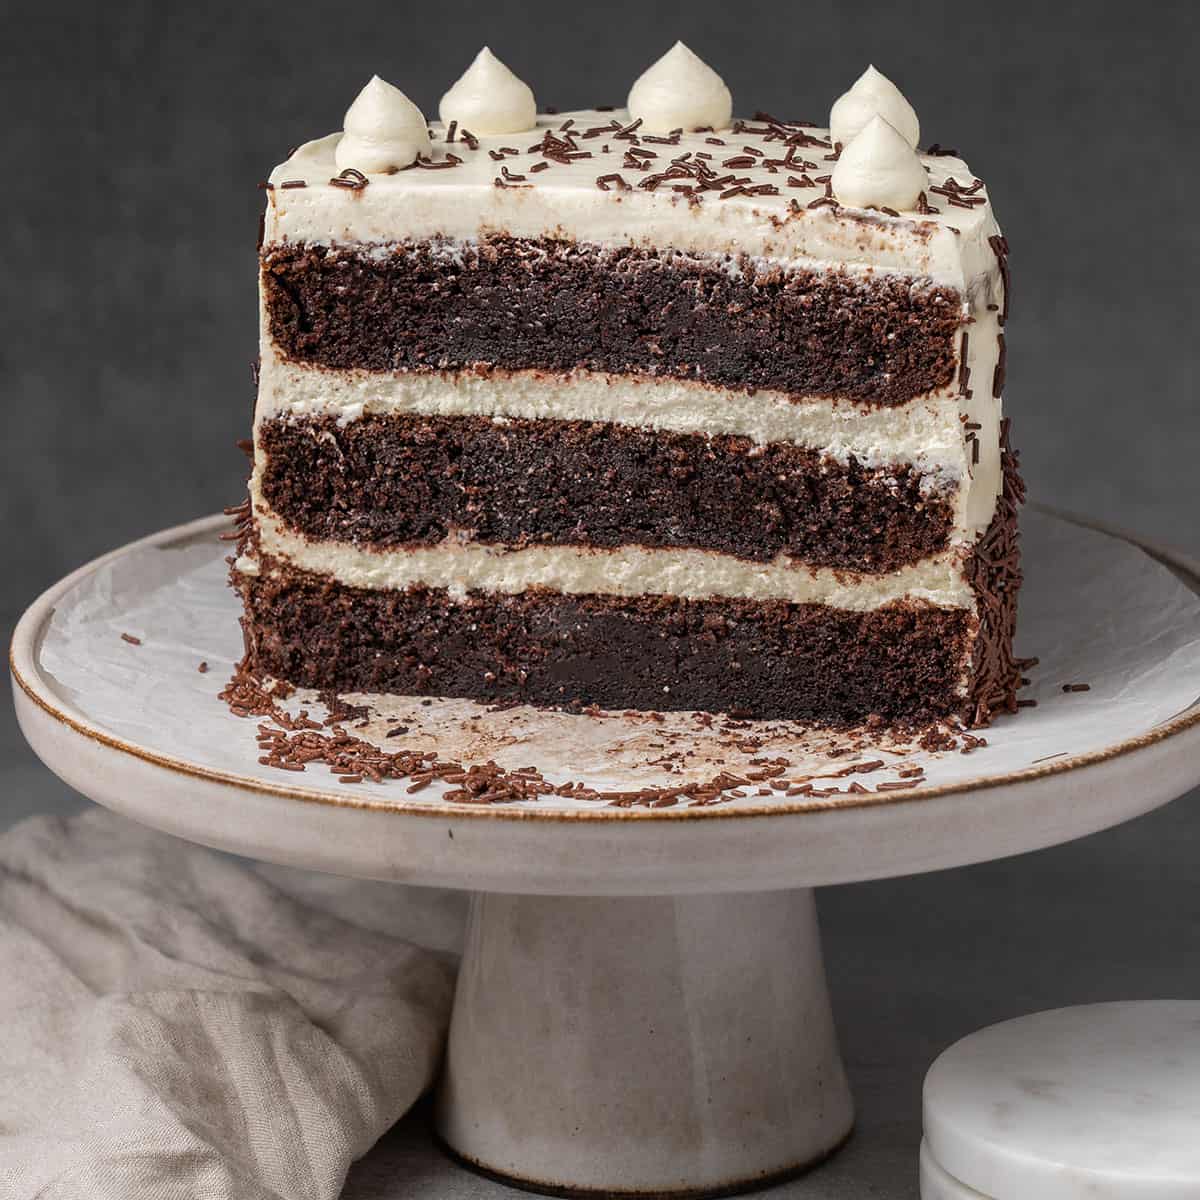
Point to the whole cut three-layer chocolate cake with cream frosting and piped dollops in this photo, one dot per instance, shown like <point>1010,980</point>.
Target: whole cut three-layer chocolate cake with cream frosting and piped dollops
<point>651,410</point>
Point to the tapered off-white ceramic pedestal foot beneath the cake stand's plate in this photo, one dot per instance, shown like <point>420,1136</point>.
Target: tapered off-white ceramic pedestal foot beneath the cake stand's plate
<point>668,1045</point>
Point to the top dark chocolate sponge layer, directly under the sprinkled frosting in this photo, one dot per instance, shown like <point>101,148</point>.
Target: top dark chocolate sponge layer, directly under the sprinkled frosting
<point>559,307</point>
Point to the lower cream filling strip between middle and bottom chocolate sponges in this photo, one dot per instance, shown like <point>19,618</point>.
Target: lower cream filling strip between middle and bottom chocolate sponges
<point>632,571</point>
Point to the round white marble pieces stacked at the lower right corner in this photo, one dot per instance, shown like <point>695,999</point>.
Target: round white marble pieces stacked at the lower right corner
<point>1093,1103</point>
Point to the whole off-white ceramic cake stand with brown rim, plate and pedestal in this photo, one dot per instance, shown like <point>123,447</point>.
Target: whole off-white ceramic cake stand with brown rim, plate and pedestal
<point>643,1006</point>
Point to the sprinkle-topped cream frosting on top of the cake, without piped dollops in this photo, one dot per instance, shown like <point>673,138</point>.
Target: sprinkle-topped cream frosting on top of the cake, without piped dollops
<point>761,188</point>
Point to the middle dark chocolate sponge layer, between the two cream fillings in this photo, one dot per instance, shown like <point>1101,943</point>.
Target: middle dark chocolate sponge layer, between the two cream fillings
<point>395,481</point>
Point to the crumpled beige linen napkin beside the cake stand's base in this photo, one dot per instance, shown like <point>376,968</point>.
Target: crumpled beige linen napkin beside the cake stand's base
<point>179,1024</point>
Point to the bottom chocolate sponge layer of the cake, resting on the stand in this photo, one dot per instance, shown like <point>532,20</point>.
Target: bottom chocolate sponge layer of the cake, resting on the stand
<point>767,659</point>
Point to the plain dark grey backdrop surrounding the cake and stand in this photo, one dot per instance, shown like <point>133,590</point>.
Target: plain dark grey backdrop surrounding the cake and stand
<point>135,133</point>
